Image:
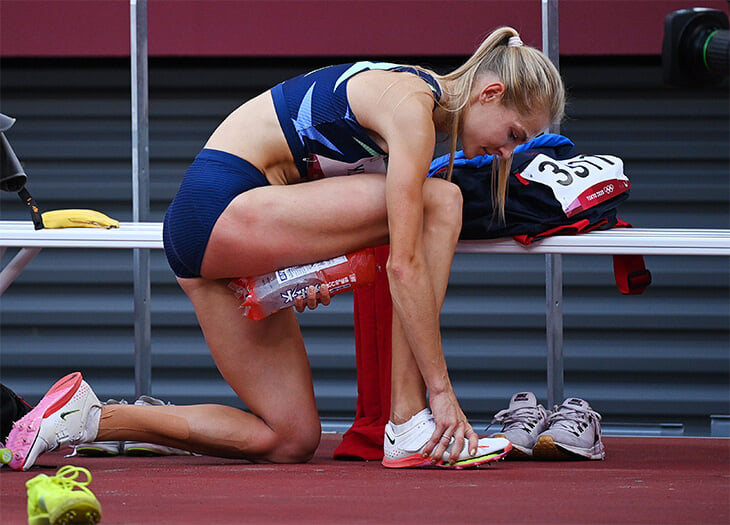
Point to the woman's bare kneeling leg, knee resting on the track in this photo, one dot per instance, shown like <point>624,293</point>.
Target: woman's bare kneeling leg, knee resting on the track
<point>266,365</point>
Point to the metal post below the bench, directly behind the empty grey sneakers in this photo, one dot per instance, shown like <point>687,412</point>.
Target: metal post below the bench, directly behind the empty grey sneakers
<point>554,322</point>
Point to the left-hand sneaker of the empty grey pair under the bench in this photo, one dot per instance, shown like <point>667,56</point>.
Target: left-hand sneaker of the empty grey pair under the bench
<point>521,423</point>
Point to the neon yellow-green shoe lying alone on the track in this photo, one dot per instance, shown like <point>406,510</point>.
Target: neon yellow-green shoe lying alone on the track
<point>55,500</point>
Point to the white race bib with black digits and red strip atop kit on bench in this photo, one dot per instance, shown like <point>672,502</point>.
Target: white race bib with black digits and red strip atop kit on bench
<point>581,182</point>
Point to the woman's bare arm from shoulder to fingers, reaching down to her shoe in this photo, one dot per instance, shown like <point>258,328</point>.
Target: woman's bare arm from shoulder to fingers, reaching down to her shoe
<point>403,117</point>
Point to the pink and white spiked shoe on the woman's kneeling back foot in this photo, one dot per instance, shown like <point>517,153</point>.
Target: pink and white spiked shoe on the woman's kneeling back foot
<point>60,419</point>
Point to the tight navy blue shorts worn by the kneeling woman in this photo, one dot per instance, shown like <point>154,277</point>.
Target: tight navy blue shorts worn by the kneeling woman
<point>212,181</point>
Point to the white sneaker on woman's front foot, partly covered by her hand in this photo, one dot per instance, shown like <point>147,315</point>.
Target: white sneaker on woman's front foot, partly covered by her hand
<point>403,446</point>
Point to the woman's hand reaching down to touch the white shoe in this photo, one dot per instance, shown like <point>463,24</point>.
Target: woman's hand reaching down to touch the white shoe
<point>451,425</point>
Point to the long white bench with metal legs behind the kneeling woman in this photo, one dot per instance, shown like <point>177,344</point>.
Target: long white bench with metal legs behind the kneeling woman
<point>630,241</point>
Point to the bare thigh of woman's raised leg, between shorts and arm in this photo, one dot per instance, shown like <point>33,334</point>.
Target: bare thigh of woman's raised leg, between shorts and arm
<point>272,227</point>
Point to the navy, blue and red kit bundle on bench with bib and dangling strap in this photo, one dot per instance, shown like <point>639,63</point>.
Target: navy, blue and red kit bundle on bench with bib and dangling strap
<point>552,190</point>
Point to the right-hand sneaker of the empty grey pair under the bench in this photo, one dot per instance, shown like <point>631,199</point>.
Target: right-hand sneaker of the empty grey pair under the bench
<point>574,432</point>
